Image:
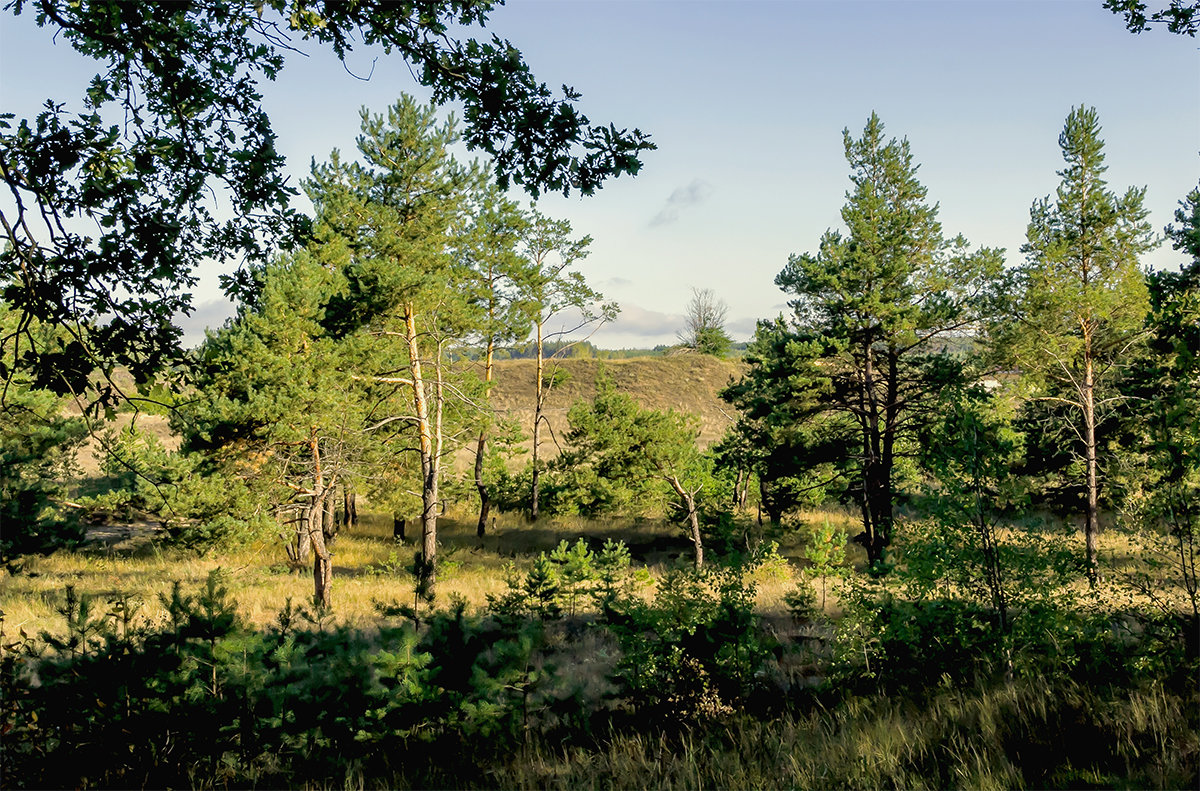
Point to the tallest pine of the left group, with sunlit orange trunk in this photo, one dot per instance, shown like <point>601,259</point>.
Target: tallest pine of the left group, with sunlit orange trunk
<point>391,224</point>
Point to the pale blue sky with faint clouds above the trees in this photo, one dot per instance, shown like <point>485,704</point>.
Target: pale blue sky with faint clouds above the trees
<point>747,101</point>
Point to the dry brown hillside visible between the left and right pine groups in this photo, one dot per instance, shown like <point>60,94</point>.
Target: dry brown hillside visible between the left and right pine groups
<point>686,382</point>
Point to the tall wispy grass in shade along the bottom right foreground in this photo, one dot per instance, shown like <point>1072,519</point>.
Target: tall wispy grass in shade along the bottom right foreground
<point>1027,735</point>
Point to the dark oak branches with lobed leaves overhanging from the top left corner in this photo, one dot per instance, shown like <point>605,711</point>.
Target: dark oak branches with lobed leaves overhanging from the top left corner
<point>111,219</point>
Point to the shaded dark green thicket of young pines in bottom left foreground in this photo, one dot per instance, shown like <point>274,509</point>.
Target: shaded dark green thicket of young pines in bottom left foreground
<point>202,699</point>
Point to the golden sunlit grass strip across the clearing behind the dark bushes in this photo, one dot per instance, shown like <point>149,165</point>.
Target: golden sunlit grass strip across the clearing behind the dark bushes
<point>370,567</point>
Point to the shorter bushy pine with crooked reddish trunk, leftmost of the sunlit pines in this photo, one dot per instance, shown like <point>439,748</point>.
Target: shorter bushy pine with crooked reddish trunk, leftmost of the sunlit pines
<point>272,405</point>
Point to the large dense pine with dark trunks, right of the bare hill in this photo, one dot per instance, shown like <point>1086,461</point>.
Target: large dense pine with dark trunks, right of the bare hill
<point>863,359</point>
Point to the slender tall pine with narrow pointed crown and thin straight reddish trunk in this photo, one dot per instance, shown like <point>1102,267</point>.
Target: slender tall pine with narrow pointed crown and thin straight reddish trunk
<point>1081,301</point>
